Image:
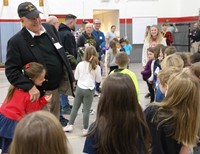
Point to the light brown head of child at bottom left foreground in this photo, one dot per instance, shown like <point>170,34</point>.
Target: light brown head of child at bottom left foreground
<point>39,133</point>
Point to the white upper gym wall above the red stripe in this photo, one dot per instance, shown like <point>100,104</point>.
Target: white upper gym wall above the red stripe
<point>84,8</point>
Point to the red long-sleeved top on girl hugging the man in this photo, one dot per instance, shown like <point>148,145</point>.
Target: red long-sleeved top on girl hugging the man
<point>20,105</point>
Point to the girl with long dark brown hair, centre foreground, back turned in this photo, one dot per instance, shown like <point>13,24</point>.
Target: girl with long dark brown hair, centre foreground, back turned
<point>120,126</point>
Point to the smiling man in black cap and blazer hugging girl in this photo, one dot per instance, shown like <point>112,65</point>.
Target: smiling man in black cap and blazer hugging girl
<point>39,43</point>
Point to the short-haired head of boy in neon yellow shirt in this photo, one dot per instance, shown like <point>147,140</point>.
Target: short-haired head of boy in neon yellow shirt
<point>122,59</point>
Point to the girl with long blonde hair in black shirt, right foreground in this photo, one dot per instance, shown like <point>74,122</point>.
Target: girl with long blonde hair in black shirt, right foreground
<point>174,123</point>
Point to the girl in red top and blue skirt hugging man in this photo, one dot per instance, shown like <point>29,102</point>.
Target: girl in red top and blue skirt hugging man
<point>17,104</point>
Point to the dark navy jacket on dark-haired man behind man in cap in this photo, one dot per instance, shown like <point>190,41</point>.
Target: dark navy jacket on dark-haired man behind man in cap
<point>67,39</point>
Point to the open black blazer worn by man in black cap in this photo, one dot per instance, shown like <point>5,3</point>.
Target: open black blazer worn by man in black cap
<point>22,49</point>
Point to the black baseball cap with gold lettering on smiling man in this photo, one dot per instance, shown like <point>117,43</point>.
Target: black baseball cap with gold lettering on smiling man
<point>27,10</point>
